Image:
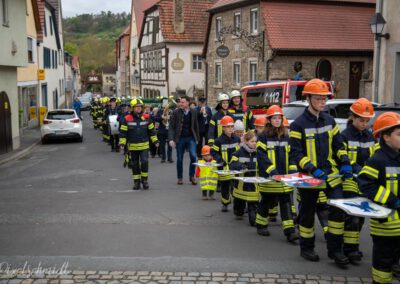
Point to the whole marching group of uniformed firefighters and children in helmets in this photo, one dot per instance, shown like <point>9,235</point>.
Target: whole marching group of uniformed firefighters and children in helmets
<point>352,163</point>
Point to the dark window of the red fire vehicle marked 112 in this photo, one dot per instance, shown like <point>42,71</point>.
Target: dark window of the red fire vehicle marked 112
<point>264,97</point>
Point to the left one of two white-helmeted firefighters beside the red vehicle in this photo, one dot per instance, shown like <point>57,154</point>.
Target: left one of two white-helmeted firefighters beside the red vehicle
<point>215,128</point>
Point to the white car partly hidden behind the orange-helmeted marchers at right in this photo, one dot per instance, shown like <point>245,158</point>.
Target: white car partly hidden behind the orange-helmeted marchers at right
<point>338,108</point>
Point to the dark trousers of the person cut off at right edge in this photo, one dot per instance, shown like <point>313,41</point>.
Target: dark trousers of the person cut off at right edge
<point>385,252</point>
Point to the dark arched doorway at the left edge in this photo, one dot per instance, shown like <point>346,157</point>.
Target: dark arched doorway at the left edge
<point>5,124</point>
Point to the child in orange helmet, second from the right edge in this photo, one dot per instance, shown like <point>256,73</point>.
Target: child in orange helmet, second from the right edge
<point>360,145</point>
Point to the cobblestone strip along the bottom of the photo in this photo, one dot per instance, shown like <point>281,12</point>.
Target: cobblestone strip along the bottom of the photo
<point>138,277</point>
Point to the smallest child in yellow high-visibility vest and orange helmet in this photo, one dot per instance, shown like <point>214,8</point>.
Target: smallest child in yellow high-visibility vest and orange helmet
<point>208,179</point>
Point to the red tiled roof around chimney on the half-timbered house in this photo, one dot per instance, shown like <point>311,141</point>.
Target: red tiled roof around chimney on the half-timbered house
<point>195,20</point>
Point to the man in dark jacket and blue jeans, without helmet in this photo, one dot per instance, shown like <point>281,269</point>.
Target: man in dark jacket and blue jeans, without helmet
<point>183,133</point>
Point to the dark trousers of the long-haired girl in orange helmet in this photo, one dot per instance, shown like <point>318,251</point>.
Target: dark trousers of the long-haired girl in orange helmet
<point>266,202</point>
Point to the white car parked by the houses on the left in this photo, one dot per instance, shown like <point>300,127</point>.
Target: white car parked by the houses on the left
<point>61,124</point>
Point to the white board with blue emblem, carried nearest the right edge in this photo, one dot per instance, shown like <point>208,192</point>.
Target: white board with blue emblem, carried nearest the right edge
<point>361,207</point>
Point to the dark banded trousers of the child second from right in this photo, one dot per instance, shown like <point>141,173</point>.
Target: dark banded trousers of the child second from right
<point>352,228</point>
